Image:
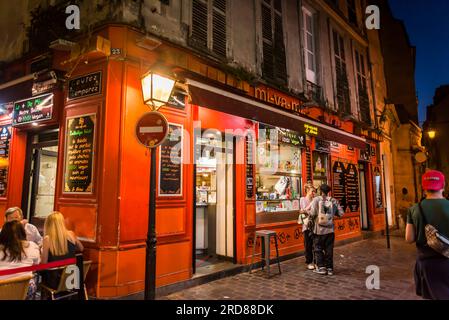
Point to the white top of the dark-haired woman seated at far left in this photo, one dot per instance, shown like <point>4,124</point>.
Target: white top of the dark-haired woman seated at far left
<point>31,257</point>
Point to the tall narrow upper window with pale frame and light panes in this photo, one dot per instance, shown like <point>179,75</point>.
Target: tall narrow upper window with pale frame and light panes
<point>309,45</point>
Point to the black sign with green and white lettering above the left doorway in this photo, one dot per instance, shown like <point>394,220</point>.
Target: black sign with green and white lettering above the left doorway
<point>39,108</point>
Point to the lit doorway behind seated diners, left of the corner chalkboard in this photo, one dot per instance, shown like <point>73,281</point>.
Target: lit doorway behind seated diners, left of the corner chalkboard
<point>40,176</point>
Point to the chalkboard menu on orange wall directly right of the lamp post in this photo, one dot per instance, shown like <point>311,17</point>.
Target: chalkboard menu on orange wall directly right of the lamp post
<point>170,162</point>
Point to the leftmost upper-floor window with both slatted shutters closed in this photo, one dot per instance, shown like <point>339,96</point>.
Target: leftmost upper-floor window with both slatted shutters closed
<point>208,30</point>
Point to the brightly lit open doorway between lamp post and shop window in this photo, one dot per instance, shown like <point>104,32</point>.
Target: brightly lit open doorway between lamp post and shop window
<point>214,205</point>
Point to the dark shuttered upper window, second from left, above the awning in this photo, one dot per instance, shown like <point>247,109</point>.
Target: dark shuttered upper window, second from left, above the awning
<point>273,48</point>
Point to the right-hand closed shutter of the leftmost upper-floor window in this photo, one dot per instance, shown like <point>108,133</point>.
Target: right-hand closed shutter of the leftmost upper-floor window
<point>219,27</point>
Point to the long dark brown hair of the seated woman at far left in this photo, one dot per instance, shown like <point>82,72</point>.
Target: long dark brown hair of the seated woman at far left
<point>11,241</point>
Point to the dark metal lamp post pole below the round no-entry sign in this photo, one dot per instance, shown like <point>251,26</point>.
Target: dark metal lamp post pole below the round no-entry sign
<point>150,263</point>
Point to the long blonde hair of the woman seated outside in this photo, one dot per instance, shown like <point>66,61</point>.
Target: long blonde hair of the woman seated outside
<point>57,233</point>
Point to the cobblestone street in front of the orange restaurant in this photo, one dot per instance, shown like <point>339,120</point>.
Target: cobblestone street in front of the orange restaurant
<point>348,282</point>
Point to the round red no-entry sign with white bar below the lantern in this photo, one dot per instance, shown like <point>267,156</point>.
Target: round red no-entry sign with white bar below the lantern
<point>152,129</point>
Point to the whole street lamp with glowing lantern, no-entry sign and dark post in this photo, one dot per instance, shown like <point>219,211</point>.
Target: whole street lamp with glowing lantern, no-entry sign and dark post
<point>156,90</point>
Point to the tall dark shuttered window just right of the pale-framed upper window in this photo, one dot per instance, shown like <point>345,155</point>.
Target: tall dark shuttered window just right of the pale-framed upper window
<point>342,85</point>
